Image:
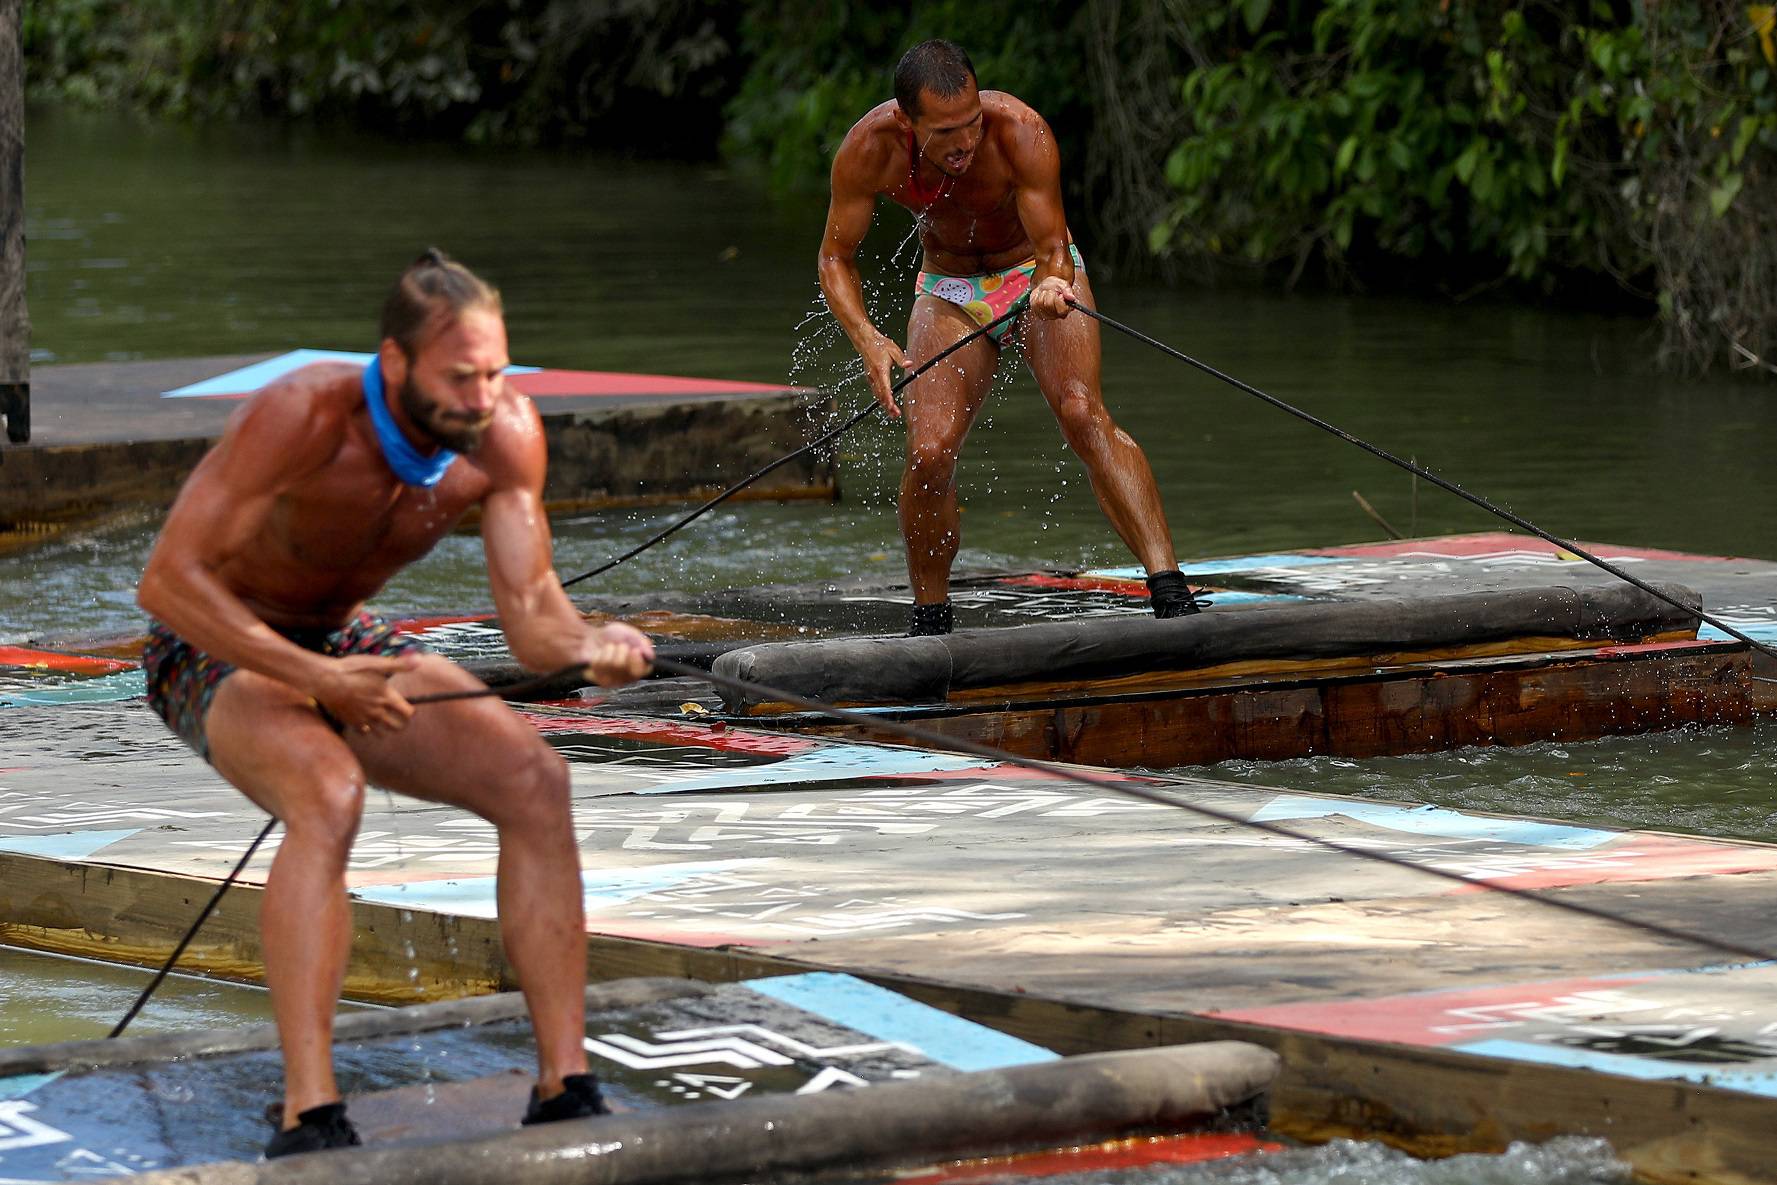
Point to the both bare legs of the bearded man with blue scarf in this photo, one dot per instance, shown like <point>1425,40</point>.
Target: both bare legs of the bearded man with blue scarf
<point>477,754</point>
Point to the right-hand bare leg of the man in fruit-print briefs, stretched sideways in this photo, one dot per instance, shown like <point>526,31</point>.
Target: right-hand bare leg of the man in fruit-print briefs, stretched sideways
<point>1065,360</point>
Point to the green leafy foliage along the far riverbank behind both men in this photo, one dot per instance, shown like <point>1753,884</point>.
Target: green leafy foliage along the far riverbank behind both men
<point>1542,143</point>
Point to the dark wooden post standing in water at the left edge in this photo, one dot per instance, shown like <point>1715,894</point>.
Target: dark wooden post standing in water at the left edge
<point>15,324</point>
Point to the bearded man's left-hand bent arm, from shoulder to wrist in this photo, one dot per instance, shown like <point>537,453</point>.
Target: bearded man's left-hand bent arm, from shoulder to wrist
<point>275,441</point>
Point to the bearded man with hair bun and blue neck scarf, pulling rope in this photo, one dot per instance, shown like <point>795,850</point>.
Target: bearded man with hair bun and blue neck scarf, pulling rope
<point>264,660</point>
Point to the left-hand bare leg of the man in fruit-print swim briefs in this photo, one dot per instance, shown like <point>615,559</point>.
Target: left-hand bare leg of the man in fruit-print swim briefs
<point>939,408</point>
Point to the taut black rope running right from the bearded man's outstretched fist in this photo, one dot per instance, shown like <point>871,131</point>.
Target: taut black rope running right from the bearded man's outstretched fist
<point>1131,790</point>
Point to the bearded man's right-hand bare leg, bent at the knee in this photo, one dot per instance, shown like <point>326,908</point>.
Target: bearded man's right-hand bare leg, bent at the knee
<point>481,756</point>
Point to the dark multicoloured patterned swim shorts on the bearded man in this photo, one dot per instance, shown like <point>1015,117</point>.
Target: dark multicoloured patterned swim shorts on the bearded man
<point>184,680</point>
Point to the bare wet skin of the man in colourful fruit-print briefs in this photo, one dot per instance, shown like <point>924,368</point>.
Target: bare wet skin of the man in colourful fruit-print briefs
<point>987,195</point>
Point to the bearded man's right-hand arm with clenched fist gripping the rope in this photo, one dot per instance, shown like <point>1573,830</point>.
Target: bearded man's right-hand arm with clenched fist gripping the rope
<point>543,626</point>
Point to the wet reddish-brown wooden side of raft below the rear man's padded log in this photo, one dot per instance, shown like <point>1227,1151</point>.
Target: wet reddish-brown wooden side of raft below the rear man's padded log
<point>1419,708</point>
